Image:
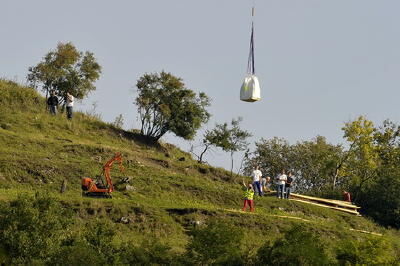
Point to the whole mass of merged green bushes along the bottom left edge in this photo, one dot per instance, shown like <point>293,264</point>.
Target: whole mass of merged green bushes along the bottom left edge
<point>35,230</point>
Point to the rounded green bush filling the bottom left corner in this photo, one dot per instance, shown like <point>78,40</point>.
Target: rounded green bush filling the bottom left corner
<point>32,228</point>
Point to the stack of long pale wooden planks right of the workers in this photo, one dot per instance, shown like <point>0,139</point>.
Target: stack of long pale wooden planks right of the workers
<point>339,205</point>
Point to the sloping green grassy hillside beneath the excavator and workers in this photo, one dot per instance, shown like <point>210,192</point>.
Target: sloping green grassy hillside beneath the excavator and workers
<point>171,195</point>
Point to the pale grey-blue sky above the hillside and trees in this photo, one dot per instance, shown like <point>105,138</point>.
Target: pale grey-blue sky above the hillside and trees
<point>320,62</point>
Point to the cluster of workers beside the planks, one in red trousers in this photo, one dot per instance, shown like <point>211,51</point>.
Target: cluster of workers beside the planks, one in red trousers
<point>261,184</point>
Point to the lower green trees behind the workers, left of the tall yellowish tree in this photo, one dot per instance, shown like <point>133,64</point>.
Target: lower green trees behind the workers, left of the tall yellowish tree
<point>312,162</point>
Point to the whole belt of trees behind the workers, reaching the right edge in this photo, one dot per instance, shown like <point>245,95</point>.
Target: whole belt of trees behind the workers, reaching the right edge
<point>369,166</point>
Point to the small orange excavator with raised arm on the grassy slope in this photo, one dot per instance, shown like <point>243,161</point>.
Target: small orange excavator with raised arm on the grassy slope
<point>96,188</point>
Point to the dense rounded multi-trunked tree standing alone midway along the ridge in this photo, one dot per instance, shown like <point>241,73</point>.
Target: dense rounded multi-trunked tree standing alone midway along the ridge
<point>165,104</point>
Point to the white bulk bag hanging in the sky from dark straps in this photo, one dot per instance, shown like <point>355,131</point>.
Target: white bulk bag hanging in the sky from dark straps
<point>250,91</point>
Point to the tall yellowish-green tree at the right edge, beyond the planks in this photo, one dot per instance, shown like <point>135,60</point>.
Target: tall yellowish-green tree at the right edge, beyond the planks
<point>373,169</point>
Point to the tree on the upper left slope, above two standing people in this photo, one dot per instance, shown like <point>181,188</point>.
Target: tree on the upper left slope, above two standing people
<point>66,70</point>
